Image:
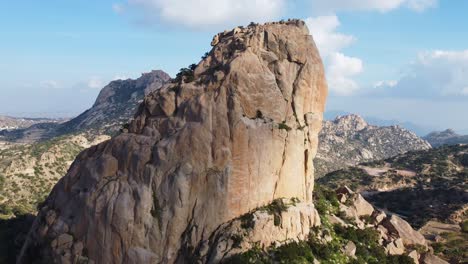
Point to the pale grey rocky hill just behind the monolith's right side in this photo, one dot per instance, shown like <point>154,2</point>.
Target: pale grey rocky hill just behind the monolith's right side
<point>350,140</point>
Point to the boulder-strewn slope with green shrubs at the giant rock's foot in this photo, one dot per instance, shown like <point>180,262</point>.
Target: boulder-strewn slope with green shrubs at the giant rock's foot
<point>351,231</point>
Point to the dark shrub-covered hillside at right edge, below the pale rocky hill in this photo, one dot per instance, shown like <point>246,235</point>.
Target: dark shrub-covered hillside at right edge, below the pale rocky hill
<point>428,188</point>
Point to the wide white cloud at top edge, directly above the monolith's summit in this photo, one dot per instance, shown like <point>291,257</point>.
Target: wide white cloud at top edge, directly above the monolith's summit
<point>209,13</point>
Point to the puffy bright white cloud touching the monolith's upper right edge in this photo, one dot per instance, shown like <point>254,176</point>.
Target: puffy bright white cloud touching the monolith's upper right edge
<point>340,69</point>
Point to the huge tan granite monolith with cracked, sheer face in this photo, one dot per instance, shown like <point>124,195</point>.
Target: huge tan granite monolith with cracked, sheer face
<point>236,133</point>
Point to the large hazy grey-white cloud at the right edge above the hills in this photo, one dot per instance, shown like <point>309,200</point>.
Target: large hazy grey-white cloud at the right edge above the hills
<point>436,74</point>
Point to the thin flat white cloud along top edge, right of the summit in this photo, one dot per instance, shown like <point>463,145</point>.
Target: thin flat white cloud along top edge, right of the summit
<point>333,6</point>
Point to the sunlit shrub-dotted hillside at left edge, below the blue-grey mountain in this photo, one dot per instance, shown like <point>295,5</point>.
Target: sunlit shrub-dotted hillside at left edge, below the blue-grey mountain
<point>28,172</point>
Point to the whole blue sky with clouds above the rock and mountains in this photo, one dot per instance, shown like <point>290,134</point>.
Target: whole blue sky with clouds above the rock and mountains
<point>392,59</point>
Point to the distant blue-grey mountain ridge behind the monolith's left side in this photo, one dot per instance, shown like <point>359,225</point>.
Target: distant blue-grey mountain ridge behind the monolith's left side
<point>114,107</point>
